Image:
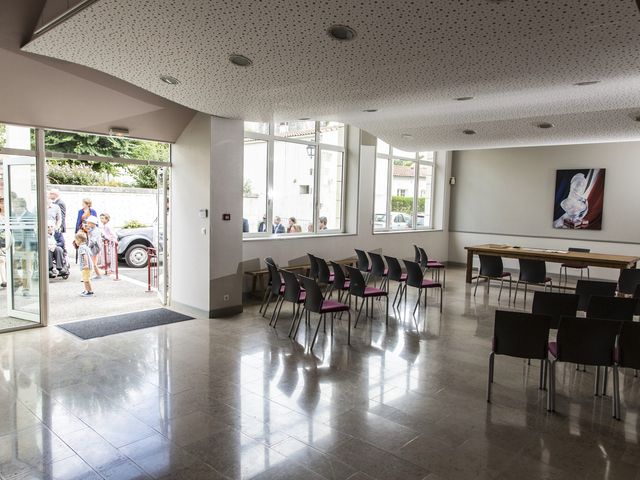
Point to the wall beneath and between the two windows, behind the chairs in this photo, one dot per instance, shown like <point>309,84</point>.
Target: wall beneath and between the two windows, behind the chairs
<point>284,250</point>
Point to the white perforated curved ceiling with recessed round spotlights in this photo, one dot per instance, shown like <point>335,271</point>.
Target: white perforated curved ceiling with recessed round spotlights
<point>519,60</point>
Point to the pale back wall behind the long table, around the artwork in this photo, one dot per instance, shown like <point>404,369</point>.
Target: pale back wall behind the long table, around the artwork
<point>506,196</point>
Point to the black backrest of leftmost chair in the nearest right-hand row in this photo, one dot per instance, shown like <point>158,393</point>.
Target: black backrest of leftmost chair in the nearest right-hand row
<point>522,335</point>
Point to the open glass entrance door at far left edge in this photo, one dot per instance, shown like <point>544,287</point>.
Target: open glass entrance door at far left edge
<point>21,237</point>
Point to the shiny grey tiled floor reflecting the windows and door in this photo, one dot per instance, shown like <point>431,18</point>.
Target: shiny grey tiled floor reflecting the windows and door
<point>234,398</point>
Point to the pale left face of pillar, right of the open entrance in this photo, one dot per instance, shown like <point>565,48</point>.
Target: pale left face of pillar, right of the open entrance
<point>191,191</point>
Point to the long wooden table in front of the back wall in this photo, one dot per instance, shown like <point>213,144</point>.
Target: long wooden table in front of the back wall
<point>604,260</point>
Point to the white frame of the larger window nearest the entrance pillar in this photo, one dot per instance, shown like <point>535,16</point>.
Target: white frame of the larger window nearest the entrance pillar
<point>271,138</point>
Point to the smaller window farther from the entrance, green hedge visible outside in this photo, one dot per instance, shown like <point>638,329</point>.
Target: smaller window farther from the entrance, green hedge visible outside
<point>403,189</point>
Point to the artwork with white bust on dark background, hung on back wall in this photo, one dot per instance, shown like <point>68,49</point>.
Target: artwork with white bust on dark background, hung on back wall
<point>579,199</point>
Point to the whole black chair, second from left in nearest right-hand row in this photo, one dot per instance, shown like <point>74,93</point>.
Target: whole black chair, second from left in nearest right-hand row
<point>584,341</point>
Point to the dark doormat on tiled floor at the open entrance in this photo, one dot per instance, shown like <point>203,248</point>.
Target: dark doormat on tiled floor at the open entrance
<point>103,326</point>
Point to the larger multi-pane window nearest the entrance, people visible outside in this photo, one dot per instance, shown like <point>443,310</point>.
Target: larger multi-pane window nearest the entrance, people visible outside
<point>293,178</point>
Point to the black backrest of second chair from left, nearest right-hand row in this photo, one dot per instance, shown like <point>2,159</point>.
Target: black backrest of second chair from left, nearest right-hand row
<point>587,341</point>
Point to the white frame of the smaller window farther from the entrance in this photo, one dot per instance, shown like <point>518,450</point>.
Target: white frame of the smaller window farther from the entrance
<point>417,163</point>
